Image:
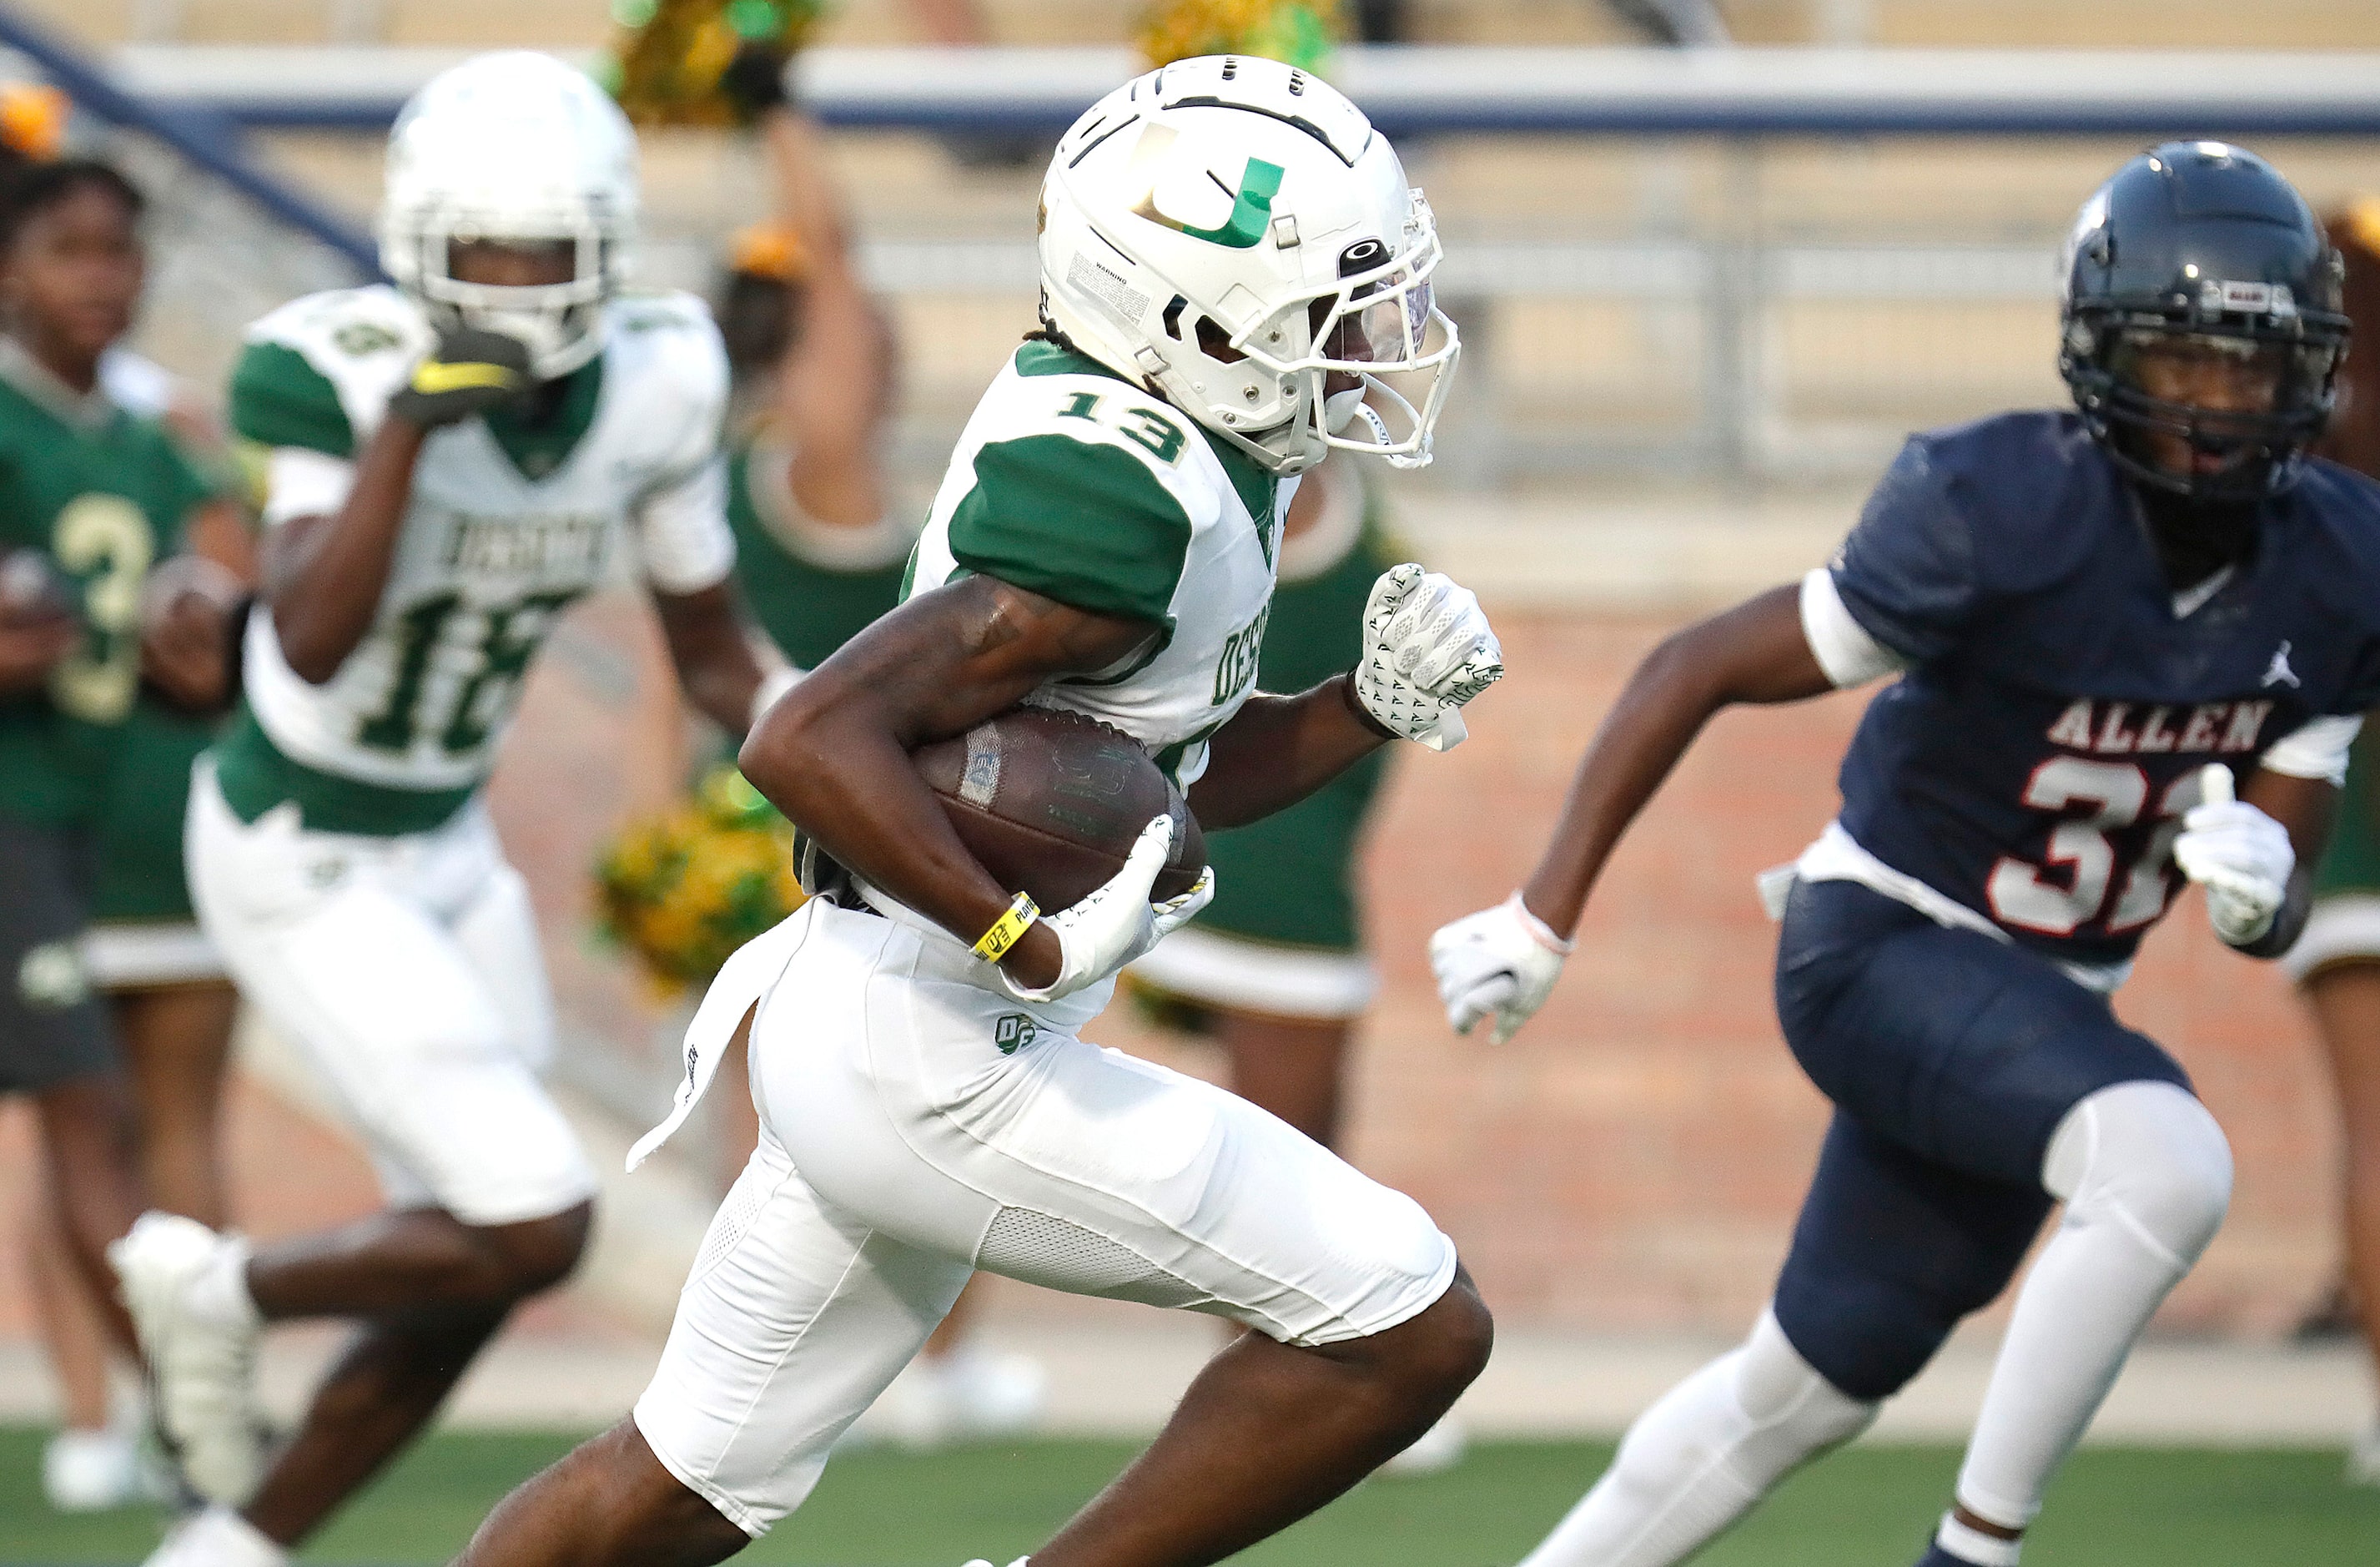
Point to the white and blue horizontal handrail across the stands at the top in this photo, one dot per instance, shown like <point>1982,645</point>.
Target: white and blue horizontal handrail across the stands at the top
<point>1436,89</point>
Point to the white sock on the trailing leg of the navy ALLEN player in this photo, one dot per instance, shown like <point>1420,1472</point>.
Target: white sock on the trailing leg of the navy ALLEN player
<point>1703,1454</point>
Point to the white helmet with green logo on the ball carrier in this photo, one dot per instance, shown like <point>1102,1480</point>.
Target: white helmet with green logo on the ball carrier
<point>1234,232</point>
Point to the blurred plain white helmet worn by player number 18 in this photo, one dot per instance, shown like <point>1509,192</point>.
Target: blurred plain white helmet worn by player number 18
<point>513,146</point>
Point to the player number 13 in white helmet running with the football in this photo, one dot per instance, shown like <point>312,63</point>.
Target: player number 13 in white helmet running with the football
<point>1234,275</point>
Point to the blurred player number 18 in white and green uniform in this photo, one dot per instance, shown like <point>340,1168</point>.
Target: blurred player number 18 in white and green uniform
<point>453,461</point>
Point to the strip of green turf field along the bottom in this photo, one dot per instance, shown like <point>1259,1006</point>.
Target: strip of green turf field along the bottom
<point>1862,1509</point>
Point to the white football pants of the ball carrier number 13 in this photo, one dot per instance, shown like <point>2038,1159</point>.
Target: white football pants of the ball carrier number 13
<point>920,1125</point>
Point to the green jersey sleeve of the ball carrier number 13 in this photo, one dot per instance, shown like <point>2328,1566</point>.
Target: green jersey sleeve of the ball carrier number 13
<point>1084,525</point>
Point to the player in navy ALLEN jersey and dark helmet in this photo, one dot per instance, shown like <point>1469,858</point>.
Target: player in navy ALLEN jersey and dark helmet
<point>2105,625</point>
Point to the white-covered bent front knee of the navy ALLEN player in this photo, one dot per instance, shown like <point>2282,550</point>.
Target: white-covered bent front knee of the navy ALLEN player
<point>2146,1156</point>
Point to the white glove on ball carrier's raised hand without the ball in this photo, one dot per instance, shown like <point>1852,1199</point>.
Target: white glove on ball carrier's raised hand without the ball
<point>1427,651</point>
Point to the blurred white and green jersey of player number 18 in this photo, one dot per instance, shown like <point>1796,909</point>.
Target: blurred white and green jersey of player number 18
<point>508,525</point>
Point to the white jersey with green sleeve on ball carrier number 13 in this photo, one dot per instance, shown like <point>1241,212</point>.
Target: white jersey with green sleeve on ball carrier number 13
<point>1094,492</point>
